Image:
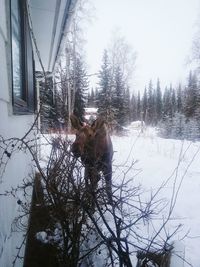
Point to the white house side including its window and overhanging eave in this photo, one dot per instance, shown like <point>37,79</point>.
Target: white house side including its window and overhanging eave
<point>49,20</point>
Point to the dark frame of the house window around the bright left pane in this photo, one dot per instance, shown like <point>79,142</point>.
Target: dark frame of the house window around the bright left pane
<point>27,103</point>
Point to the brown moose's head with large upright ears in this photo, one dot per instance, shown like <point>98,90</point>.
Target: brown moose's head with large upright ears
<point>86,137</point>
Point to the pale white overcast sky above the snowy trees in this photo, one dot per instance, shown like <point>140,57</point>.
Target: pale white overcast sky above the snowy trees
<point>161,31</point>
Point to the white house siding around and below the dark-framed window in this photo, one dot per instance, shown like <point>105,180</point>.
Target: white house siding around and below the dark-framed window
<point>19,165</point>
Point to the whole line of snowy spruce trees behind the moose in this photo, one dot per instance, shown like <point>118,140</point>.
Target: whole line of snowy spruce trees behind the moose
<point>174,111</point>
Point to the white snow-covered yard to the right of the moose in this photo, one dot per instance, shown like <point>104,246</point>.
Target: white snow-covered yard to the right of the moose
<point>171,169</point>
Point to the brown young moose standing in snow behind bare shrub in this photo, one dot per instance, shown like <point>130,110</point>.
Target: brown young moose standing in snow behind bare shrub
<point>93,145</point>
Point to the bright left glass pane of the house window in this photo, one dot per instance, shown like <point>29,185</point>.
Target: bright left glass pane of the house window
<point>16,25</point>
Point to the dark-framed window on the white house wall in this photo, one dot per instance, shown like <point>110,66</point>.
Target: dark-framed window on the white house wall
<point>22,60</point>
